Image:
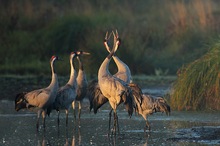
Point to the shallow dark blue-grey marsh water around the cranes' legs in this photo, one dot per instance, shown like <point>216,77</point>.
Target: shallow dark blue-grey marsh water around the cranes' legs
<point>180,128</point>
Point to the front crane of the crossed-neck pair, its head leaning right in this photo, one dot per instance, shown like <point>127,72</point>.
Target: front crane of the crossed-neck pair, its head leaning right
<point>114,89</point>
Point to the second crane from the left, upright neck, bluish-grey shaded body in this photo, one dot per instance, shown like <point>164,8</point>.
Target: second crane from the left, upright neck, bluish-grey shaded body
<point>67,93</point>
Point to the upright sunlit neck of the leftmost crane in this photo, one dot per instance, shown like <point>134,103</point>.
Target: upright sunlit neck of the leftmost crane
<point>54,81</point>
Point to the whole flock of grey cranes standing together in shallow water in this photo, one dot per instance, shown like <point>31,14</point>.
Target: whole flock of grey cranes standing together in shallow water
<point>115,89</point>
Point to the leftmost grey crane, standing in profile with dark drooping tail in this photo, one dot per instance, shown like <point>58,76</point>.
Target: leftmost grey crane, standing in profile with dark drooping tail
<point>39,100</point>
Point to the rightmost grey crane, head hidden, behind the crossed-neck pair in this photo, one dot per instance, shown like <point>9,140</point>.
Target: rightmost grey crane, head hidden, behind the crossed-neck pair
<point>149,104</point>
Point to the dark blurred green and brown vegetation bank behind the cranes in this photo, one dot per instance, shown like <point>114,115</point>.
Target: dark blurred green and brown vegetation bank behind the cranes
<point>158,37</point>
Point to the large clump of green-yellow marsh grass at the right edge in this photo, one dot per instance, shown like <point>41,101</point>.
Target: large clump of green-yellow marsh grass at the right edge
<point>198,84</point>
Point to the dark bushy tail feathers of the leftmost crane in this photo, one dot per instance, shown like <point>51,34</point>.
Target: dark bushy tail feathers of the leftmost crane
<point>20,101</point>
